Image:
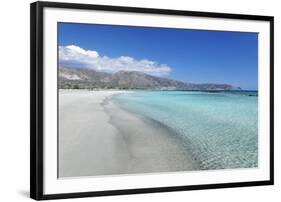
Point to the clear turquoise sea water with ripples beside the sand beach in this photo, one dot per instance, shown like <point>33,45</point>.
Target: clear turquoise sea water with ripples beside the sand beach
<point>220,130</point>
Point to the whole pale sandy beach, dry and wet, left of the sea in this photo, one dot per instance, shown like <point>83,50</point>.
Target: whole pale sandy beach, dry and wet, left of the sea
<point>96,137</point>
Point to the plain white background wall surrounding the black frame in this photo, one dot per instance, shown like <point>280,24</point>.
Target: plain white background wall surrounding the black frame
<point>14,101</point>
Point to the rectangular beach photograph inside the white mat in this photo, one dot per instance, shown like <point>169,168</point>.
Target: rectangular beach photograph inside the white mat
<point>139,100</point>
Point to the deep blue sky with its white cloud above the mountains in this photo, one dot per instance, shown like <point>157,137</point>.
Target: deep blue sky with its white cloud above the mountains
<point>187,55</point>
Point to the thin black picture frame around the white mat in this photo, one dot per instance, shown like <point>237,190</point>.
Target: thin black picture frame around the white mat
<point>36,99</point>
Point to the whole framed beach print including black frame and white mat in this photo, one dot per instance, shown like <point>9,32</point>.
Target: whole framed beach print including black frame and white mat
<point>136,100</point>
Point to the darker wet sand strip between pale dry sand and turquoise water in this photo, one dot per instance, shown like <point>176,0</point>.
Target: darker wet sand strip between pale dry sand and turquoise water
<point>144,133</point>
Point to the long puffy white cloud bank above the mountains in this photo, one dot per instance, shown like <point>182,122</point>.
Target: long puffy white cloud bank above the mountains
<point>78,57</point>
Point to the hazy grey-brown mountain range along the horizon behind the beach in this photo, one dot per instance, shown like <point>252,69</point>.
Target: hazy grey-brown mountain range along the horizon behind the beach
<point>91,79</point>
